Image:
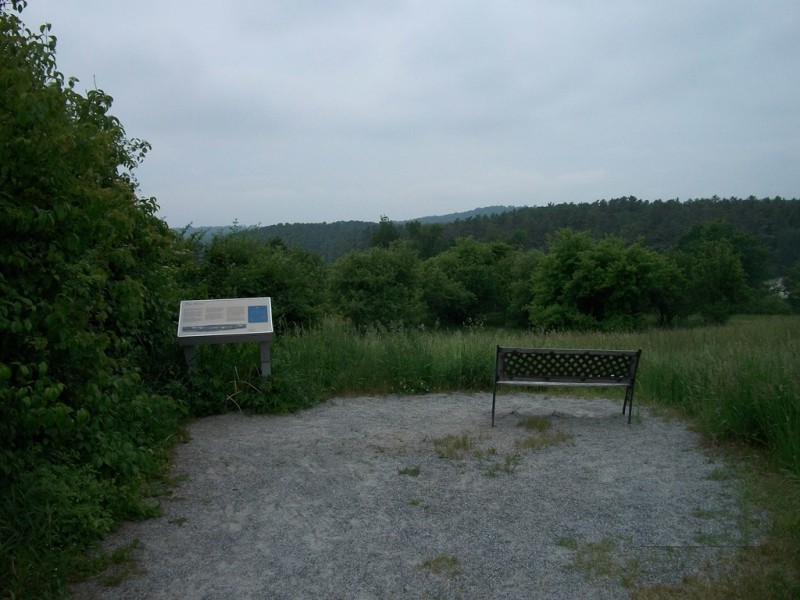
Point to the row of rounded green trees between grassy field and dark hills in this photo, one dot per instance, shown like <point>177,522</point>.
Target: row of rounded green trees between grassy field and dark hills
<point>578,281</point>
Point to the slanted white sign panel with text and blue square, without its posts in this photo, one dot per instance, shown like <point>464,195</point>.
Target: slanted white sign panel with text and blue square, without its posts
<point>229,318</point>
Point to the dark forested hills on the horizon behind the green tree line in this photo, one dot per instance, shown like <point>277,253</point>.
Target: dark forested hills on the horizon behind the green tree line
<point>659,224</point>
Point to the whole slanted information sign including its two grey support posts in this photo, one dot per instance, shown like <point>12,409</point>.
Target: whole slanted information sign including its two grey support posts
<point>225,321</point>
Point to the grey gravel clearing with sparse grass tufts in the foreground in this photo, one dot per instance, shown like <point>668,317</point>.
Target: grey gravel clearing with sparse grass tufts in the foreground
<point>352,499</point>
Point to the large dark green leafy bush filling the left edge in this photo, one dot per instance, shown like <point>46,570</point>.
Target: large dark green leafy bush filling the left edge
<point>86,299</point>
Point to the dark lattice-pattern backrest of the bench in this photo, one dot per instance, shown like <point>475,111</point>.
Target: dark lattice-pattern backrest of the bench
<point>583,366</point>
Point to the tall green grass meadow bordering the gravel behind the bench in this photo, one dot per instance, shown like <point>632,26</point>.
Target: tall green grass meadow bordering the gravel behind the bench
<point>738,383</point>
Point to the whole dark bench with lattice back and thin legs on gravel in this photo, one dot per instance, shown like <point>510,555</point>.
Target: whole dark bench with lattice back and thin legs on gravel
<point>548,367</point>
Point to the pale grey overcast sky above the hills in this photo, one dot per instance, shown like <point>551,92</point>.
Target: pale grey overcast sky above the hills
<point>317,110</point>
